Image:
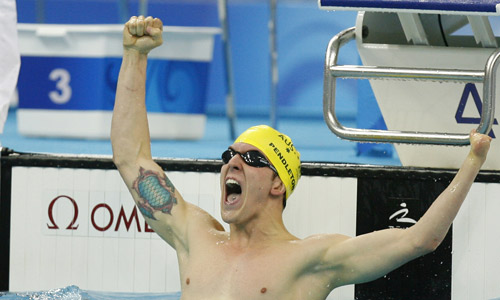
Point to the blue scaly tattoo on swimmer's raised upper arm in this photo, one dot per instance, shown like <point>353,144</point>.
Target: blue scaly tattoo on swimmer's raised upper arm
<point>156,193</point>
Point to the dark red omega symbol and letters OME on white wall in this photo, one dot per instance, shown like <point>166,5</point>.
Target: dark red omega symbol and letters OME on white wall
<point>104,208</point>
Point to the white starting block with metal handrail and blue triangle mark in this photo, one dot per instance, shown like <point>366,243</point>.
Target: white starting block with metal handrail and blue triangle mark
<point>438,60</point>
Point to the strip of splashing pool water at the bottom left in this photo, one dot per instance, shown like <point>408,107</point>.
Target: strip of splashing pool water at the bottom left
<point>75,293</point>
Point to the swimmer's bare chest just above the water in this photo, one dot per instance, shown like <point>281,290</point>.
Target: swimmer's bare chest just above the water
<point>221,273</point>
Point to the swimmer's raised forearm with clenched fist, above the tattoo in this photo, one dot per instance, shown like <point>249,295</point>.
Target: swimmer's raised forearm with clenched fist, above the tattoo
<point>129,129</point>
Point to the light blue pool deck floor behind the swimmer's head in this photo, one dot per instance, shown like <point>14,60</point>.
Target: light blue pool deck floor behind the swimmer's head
<point>310,135</point>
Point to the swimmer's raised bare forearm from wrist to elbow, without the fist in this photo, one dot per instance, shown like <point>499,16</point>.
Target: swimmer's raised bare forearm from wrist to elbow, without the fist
<point>129,129</point>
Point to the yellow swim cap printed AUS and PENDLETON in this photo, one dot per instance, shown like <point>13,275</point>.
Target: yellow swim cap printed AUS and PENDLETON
<point>280,151</point>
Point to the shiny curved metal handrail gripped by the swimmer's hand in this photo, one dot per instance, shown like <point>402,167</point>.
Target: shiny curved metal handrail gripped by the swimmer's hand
<point>333,71</point>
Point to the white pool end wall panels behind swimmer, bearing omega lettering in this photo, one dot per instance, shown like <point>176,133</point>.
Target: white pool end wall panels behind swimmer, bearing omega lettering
<point>102,254</point>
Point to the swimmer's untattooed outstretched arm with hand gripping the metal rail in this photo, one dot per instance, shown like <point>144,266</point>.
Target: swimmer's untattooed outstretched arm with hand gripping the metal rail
<point>370,256</point>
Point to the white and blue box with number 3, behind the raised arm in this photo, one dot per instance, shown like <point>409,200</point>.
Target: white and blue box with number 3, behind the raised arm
<point>69,73</point>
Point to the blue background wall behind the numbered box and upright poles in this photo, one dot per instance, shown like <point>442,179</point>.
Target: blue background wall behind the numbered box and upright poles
<point>303,34</point>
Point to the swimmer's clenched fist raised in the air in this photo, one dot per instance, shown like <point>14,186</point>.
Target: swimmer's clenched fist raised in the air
<point>142,34</point>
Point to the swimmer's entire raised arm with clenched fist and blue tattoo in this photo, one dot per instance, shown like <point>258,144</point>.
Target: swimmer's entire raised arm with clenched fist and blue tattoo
<point>158,200</point>
